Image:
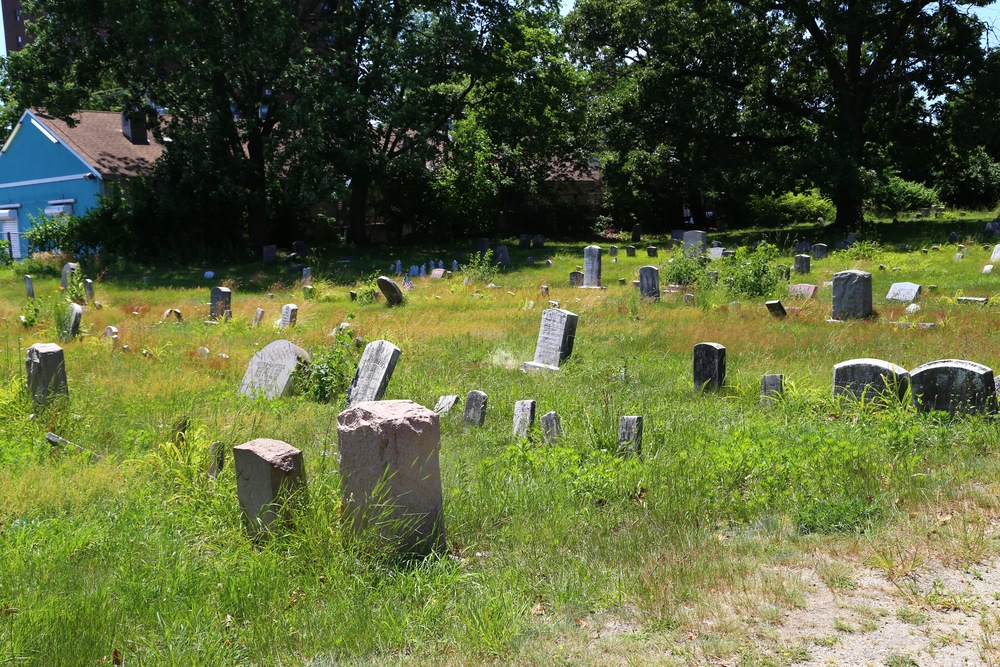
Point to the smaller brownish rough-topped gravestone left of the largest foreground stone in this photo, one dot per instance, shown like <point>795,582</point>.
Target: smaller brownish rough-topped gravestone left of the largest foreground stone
<point>267,473</point>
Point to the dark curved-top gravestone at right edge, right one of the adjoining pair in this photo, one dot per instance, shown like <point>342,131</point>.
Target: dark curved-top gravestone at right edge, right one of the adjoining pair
<point>954,386</point>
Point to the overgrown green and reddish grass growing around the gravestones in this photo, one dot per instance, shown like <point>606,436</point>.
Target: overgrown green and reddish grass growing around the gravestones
<point>119,546</point>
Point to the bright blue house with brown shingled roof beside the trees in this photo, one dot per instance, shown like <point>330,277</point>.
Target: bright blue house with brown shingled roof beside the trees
<point>48,168</point>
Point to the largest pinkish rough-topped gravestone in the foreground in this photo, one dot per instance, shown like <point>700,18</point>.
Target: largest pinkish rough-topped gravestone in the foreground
<point>390,475</point>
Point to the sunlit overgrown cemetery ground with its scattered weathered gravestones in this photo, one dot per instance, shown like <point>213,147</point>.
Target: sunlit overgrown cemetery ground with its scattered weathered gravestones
<point>436,459</point>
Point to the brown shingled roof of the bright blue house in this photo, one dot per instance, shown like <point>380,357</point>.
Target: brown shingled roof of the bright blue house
<point>97,138</point>
